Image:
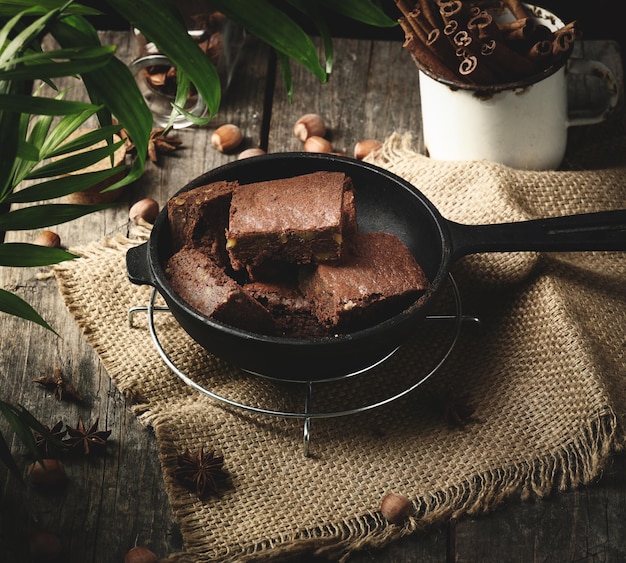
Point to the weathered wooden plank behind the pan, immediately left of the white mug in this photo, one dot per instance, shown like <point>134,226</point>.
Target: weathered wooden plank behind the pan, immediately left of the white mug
<point>372,92</point>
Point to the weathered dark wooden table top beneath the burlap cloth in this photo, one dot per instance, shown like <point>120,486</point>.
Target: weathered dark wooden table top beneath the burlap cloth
<point>114,502</point>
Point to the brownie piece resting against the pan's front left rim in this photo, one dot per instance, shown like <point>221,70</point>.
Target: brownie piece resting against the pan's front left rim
<point>203,284</point>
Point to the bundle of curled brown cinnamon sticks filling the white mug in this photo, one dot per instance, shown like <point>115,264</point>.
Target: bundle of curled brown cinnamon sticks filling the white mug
<point>458,39</point>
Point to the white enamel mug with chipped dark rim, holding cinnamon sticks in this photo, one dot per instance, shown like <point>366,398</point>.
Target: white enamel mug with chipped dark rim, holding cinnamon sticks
<point>523,125</point>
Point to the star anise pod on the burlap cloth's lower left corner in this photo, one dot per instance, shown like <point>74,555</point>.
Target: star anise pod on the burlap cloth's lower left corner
<point>201,472</point>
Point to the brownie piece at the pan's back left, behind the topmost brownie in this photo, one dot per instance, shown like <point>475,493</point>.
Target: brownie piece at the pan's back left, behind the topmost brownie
<point>199,217</point>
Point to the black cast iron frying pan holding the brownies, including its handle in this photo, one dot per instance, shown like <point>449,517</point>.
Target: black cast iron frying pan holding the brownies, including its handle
<point>384,202</point>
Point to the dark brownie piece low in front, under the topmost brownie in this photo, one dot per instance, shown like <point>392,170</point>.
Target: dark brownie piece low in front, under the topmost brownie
<point>290,310</point>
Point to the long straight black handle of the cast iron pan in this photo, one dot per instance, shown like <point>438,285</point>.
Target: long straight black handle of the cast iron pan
<point>605,230</point>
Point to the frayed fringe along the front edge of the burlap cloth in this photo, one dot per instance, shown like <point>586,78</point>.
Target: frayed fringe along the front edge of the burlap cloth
<point>575,464</point>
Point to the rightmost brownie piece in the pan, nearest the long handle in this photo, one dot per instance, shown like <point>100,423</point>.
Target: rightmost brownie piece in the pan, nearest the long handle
<point>378,279</point>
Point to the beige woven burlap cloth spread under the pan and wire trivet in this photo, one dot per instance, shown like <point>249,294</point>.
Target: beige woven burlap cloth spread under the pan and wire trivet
<point>531,400</point>
